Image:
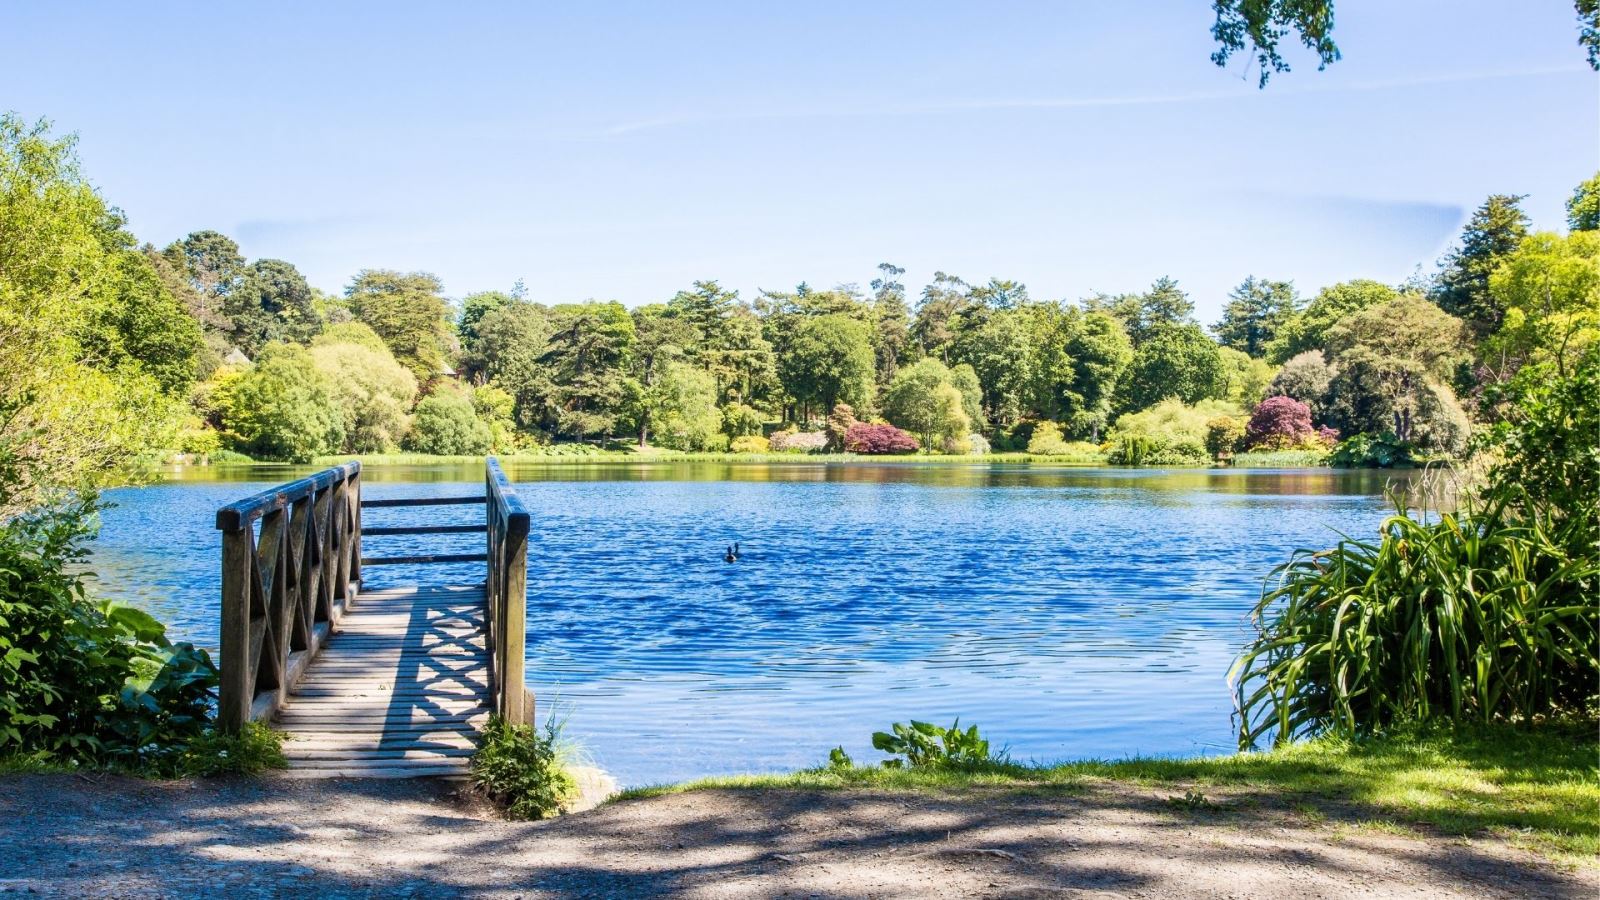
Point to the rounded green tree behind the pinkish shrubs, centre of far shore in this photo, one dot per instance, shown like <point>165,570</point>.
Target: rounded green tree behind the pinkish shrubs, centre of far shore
<point>830,363</point>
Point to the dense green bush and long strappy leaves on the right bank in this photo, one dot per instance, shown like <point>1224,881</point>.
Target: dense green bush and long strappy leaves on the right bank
<point>1484,614</point>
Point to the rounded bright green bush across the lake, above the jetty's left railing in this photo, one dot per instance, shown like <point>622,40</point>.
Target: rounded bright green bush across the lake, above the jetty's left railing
<point>282,409</point>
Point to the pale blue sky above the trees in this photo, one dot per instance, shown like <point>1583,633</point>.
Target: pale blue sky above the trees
<point>622,151</point>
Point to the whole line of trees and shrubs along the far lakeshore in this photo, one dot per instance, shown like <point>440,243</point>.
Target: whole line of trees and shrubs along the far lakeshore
<point>223,355</point>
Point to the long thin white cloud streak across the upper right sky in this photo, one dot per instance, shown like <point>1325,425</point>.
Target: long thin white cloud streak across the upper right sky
<point>996,105</point>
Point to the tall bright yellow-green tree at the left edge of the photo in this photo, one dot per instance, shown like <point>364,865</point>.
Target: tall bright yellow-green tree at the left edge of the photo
<point>68,420</point>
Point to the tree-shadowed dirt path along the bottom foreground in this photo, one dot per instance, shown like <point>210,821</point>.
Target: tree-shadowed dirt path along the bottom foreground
<point>70,837</point>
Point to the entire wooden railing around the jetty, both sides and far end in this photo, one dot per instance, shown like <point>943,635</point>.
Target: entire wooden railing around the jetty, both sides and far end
<point>286,589</point>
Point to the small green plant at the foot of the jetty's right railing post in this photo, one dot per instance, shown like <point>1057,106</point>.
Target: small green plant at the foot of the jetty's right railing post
<point>524,771</point>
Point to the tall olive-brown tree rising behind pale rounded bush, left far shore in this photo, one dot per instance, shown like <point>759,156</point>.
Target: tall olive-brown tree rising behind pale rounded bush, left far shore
<point>409,313</point>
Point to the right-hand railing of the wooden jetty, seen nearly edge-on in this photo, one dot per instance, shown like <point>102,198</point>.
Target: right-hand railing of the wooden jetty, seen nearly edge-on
<point>506,595</point>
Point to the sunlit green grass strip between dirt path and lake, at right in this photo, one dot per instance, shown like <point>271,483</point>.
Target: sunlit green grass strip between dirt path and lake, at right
<point>1538,789</point>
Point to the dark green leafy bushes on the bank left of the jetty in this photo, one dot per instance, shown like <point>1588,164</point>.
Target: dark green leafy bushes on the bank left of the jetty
<point>97,683</point>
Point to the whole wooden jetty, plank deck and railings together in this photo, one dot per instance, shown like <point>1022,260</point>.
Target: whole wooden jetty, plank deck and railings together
<point>385,683</point>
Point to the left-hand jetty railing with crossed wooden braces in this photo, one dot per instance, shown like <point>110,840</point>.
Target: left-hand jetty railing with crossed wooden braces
<point>286,589</point>
